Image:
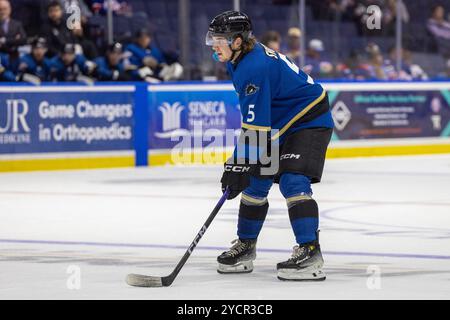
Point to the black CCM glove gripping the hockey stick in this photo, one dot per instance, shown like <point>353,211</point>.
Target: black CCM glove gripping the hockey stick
<point>236,177</point>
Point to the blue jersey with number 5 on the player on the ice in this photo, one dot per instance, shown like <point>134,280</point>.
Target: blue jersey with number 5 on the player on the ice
<point>274,93</point>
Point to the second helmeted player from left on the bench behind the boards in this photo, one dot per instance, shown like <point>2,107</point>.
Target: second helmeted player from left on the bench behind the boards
<point>69,66</point>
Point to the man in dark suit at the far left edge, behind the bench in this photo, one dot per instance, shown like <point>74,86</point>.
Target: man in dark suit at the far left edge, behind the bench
<point>12,34</point>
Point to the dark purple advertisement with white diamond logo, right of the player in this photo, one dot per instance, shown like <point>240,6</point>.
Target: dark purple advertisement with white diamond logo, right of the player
<point>390,110</point>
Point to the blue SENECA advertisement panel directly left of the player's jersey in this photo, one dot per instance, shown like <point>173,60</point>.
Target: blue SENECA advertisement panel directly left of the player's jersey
<point>195,116</point>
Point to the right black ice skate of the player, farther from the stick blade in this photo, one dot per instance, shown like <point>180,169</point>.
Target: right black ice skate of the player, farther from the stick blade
<point>305,264</point>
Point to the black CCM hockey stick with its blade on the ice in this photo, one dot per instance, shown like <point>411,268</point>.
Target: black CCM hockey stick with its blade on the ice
<point>139,280</point>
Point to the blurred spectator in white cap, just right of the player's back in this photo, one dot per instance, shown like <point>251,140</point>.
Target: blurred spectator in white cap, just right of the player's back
<point>315,65</point>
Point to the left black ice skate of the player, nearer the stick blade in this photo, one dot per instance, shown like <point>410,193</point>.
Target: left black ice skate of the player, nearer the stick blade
<point>239,259</point>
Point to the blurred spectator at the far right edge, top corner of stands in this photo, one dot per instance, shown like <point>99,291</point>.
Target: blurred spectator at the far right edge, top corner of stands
<point>440,30</point>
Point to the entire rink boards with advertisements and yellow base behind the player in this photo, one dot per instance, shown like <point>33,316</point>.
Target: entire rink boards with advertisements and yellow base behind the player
<point>141,124</point>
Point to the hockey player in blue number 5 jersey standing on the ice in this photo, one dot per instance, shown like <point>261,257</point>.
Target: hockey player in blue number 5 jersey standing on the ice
<point>279,100</point>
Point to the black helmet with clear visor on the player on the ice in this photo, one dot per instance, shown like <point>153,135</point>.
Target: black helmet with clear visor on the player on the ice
<point>227,26</point>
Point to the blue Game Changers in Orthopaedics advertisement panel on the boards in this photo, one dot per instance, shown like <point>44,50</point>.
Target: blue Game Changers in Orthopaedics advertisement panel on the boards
<point>66,119</point>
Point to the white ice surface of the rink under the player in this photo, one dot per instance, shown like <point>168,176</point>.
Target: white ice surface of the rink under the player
<point>386,214</point>
